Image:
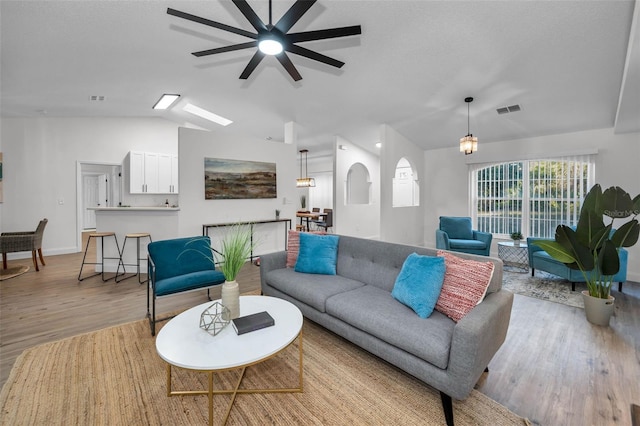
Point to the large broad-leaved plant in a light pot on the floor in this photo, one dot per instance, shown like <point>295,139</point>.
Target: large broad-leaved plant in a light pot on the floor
<point>593,246</point>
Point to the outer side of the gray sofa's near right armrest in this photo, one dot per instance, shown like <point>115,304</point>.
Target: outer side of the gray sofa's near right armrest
<point>476,339</point>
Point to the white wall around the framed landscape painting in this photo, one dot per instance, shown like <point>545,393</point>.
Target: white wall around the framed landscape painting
<point>195,145</point>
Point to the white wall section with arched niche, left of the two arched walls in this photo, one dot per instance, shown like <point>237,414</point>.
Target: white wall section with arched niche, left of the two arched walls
<point>362,220</point>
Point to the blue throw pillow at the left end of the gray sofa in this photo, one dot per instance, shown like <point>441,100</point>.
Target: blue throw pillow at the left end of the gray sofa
<point>318,254</point>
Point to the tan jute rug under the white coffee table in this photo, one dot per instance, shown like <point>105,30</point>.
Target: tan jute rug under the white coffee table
<point>115,377</point>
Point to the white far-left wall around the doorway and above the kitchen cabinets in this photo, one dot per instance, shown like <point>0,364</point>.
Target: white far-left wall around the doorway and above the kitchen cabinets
<point>39,170</point>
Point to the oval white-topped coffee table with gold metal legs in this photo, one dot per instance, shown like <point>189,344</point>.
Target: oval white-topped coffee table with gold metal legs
<point>182,343</point>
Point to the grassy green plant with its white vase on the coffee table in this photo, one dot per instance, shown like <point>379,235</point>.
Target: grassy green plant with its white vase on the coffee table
<point>236,247</point>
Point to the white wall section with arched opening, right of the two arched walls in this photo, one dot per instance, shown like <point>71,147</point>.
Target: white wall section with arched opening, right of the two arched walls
<point>400,224</point>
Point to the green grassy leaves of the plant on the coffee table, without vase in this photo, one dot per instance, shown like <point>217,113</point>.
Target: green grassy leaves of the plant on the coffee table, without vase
<point>237,246</point>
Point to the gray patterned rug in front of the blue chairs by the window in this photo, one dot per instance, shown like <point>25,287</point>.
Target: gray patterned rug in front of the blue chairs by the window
<point>544,286</point>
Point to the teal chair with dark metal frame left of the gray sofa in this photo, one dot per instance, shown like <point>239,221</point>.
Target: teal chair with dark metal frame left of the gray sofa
<point>176,266</point>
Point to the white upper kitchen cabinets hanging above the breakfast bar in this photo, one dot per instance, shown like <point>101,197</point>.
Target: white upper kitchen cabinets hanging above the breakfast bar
<point>153,173</point>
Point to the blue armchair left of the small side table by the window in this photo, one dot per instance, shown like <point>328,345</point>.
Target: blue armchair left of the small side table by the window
<point>455,234</point>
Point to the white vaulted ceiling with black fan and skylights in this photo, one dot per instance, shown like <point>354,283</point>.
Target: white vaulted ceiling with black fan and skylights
<point>563,62</point>
